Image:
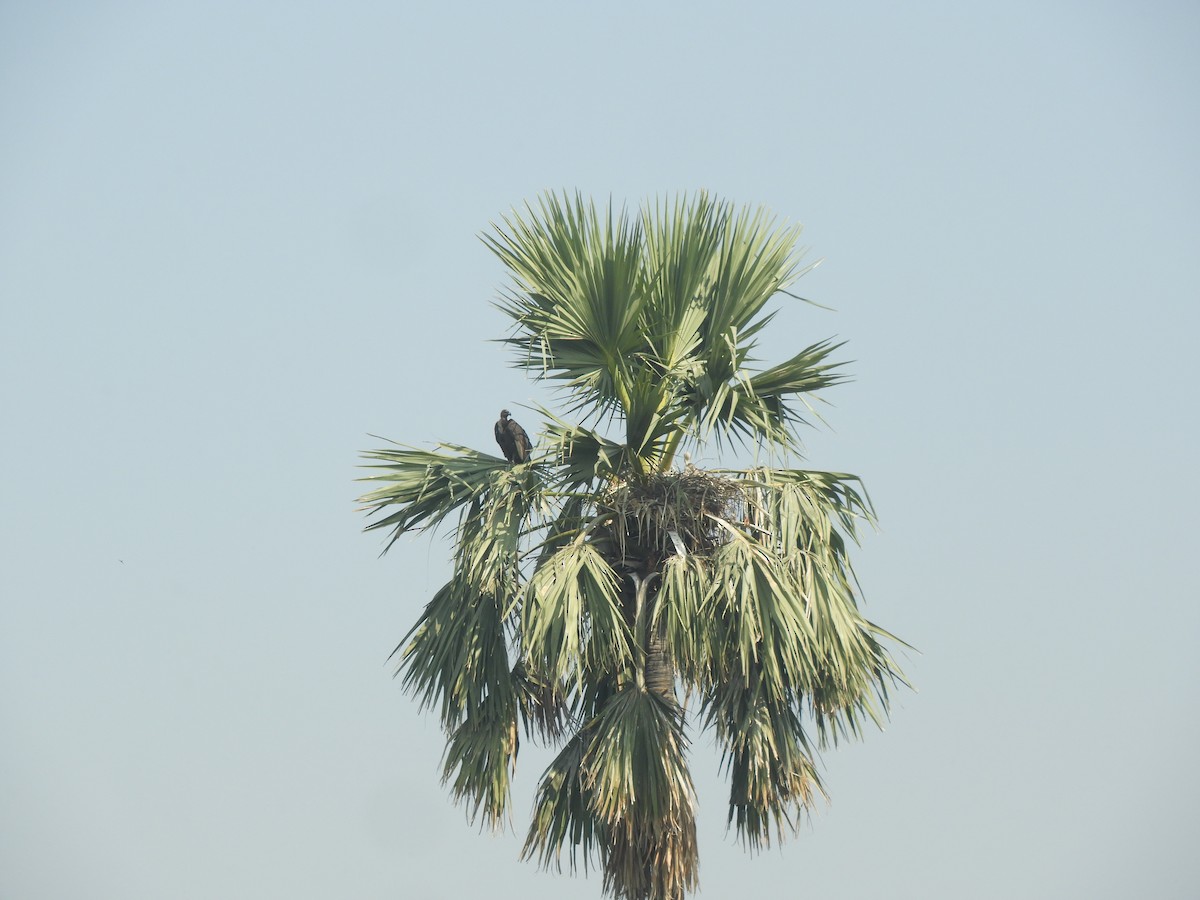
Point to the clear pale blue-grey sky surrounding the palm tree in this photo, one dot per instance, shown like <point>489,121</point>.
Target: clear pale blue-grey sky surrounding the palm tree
<point>237,239</point>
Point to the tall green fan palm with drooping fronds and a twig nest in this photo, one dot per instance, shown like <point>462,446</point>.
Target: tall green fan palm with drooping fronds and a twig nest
<point>601,580</point>
